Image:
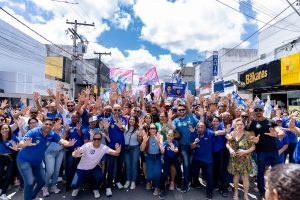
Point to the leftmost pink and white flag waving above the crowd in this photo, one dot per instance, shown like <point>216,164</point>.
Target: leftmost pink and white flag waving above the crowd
<point>121,75</point>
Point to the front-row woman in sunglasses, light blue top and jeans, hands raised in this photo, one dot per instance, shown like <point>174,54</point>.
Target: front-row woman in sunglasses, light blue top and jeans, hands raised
<point>152,145</point>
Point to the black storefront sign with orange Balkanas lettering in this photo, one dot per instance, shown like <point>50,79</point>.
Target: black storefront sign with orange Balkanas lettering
<point>263,76</point>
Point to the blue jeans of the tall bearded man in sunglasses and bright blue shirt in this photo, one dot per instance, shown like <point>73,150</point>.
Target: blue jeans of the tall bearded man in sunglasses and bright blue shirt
<point>186,156</point>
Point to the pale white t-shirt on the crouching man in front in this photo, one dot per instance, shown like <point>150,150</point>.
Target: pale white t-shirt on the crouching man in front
<point>91,155</point>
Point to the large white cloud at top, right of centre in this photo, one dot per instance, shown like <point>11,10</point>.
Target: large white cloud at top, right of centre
<point>193,24</point>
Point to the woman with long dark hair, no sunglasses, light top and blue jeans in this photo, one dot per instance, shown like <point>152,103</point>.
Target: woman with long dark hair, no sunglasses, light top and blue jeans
<point>132,151</point>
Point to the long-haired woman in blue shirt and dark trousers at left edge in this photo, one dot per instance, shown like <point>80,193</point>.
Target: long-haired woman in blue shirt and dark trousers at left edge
<point>8,149</point>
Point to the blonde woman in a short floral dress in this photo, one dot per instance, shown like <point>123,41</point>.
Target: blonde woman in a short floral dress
<point>240,147</point>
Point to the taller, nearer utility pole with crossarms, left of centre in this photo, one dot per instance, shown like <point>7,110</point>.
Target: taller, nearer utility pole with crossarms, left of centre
<point>75,36</point>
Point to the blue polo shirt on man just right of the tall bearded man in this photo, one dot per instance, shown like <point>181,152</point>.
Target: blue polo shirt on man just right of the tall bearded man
<point>204,149</point>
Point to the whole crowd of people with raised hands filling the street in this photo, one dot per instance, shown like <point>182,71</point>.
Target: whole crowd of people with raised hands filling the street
<point>162,141</point>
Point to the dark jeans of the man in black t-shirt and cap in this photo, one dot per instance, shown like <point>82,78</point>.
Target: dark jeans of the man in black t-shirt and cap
<point>264,159</point>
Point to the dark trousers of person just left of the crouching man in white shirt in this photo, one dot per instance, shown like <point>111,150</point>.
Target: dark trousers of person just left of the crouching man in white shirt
<point>71,166</point>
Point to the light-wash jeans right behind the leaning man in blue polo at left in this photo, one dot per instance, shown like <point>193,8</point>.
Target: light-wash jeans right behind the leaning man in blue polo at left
<point>53,161</point>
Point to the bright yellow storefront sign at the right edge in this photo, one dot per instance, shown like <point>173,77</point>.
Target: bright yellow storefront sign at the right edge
<point>290,69</point>
